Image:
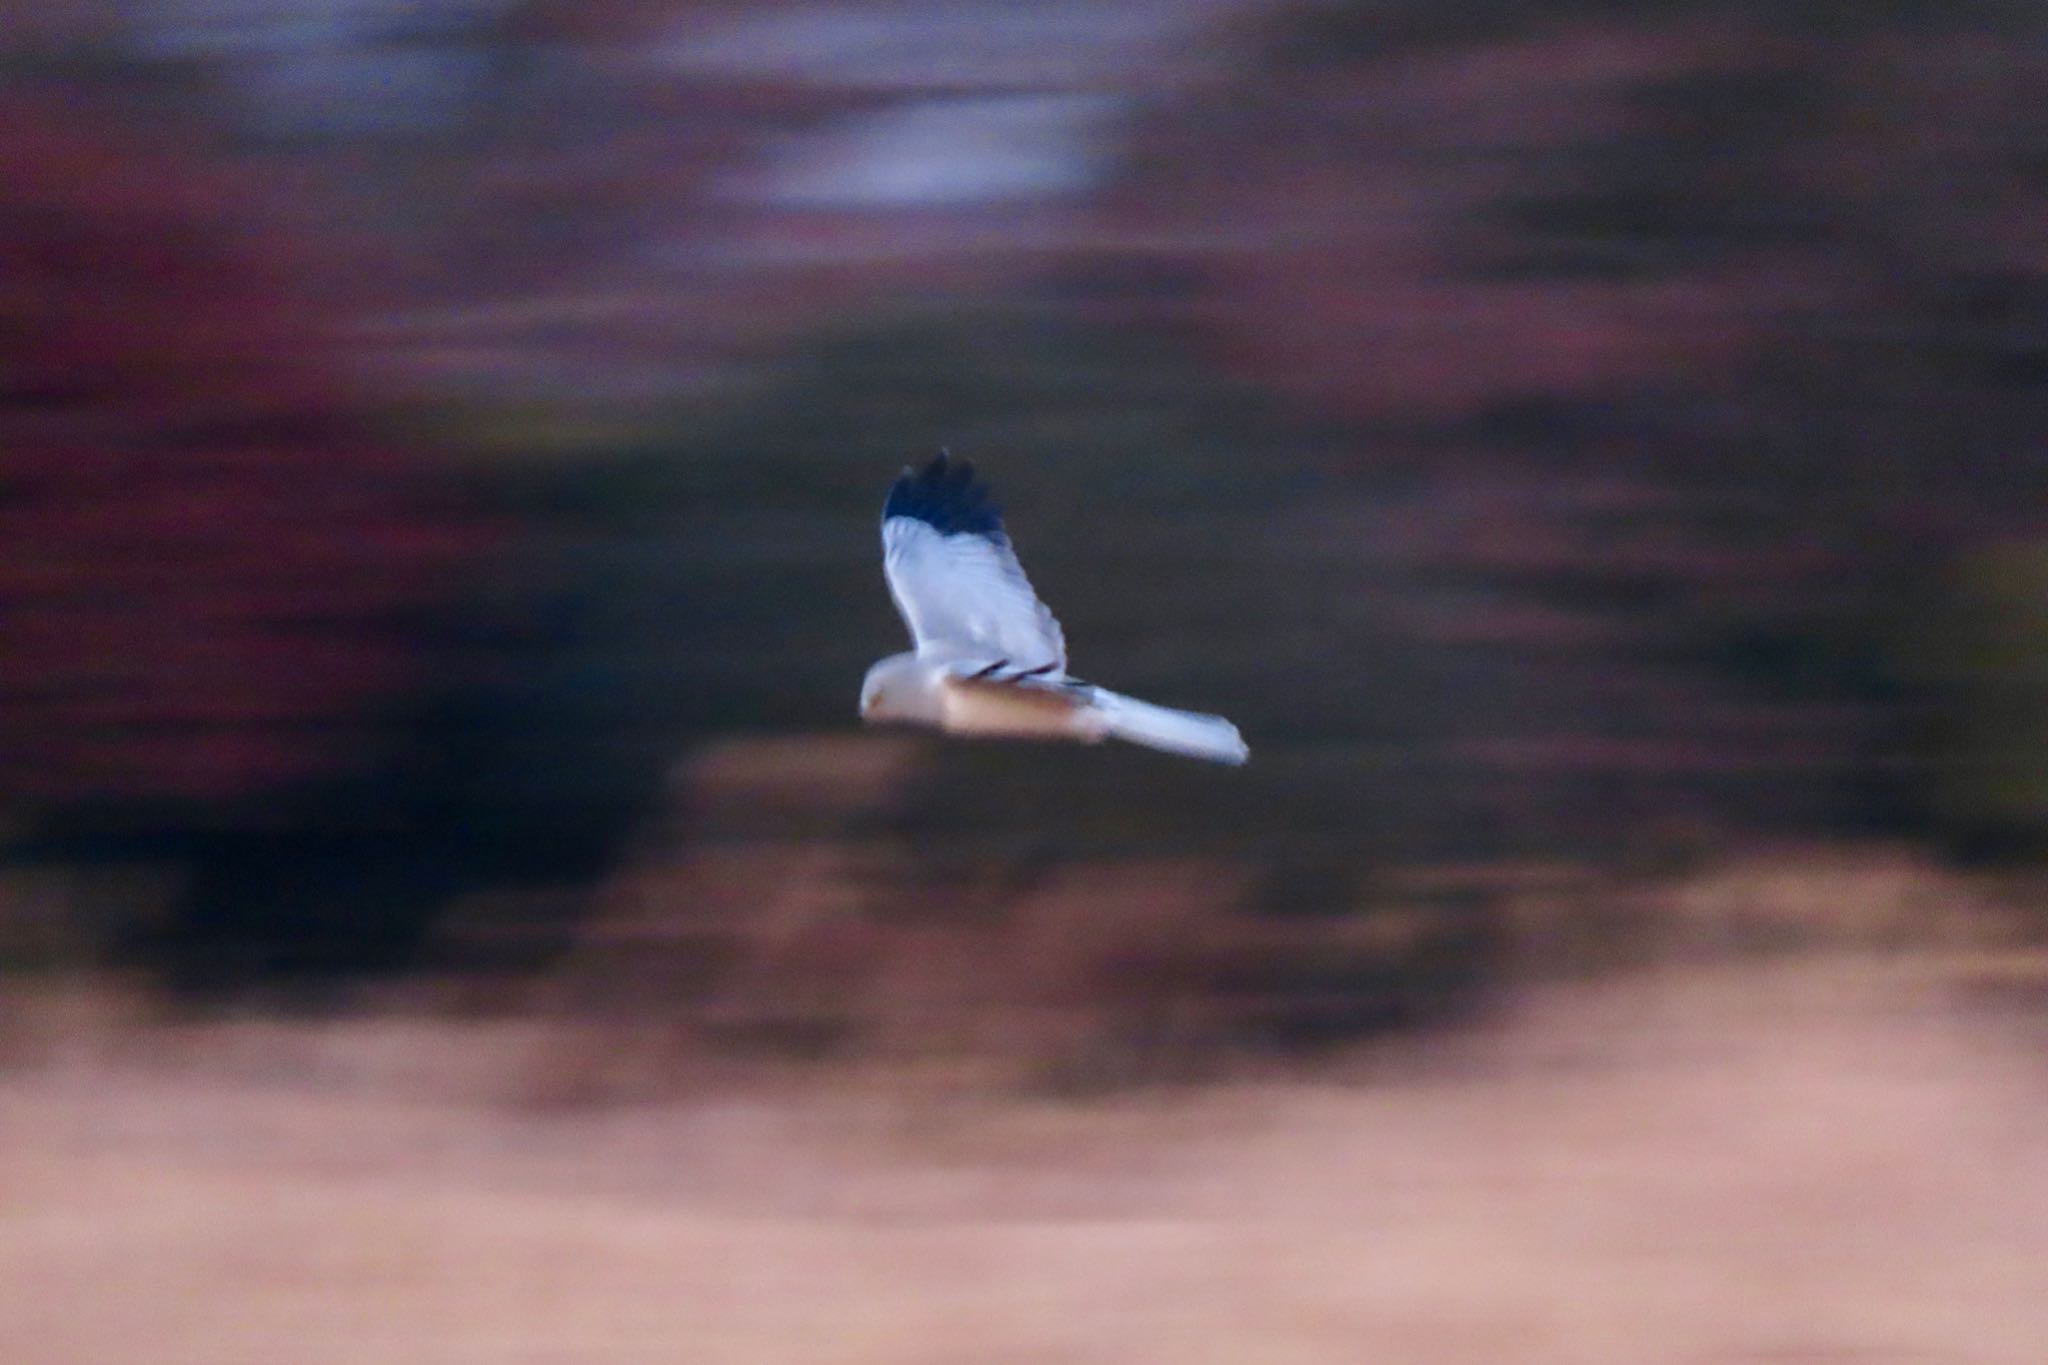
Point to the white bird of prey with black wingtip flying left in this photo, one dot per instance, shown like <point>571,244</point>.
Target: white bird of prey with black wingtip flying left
<point>988,654</point>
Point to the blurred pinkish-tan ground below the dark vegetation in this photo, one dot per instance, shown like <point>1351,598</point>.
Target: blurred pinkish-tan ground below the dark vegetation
<point>1832,1159</point>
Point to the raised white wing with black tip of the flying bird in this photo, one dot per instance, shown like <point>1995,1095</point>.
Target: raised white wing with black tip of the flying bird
<point>957,582</point>
